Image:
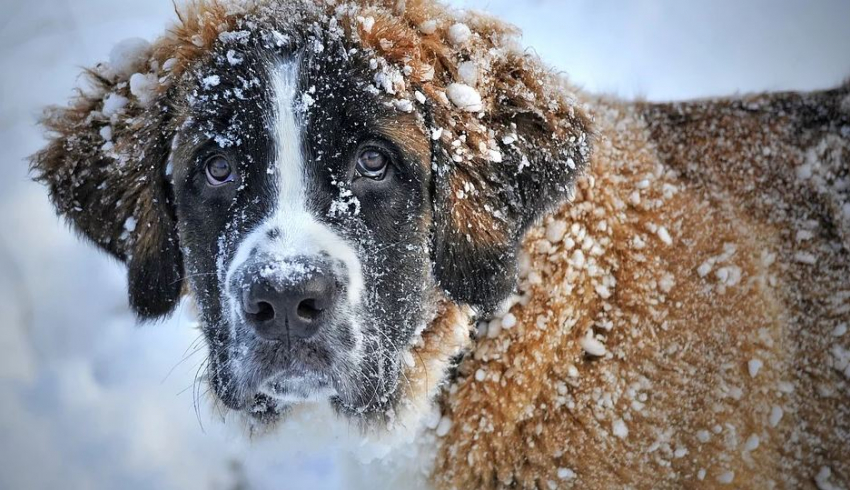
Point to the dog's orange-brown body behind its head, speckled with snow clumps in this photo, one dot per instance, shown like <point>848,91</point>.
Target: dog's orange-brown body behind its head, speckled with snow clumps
<point>683,321</point>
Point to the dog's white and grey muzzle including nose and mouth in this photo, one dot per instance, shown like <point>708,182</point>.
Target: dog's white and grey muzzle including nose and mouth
<point>293,304</point>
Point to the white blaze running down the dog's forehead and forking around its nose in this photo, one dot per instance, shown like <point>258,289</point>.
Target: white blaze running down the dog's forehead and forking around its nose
<point>300,234</point>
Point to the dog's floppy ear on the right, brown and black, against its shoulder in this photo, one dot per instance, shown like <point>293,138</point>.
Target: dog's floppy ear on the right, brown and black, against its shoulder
<point>496,171</point>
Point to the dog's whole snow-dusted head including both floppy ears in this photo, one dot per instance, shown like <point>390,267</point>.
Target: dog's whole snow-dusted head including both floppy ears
<point>329,183</point>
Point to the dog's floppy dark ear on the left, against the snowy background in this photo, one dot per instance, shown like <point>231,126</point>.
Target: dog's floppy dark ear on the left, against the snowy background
<point>105,166</point>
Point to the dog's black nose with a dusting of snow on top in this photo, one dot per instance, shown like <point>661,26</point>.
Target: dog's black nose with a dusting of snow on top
<point>288,300</point>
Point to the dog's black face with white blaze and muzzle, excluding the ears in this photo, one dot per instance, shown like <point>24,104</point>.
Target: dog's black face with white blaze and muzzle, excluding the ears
<point>304,215</point>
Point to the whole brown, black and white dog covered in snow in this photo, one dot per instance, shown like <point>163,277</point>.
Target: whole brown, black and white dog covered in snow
<point>391,210</point>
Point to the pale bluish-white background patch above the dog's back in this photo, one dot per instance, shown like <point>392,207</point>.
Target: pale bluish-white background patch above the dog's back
<point>683,49</point>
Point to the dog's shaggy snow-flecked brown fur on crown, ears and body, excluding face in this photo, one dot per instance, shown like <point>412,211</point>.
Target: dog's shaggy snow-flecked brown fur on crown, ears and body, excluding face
<point>681,322</point>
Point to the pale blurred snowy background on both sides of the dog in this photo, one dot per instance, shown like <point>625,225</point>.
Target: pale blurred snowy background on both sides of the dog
<point>90,401</point>
